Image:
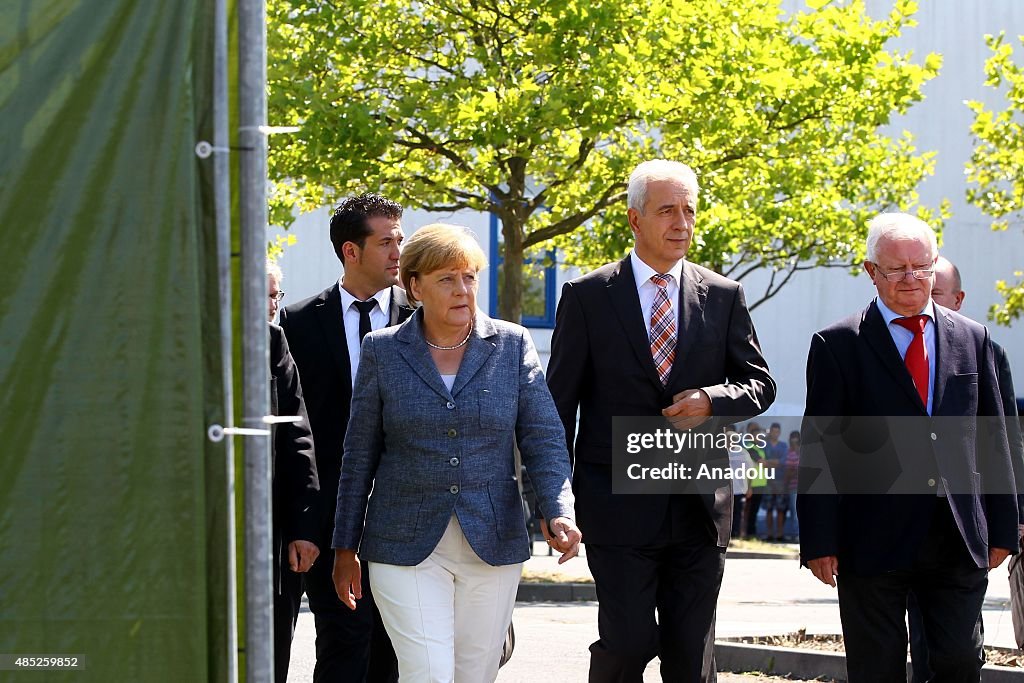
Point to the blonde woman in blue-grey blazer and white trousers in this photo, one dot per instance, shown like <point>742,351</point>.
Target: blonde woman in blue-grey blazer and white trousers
<point>440,407</point>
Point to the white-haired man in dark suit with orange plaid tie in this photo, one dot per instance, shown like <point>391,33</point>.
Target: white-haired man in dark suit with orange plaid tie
<point>616,352</point>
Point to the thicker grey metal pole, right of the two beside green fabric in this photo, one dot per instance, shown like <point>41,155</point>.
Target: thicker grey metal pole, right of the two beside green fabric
<point>257,392</point>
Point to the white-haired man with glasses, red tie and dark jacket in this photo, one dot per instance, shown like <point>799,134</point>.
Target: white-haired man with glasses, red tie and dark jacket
<point>898,401</point>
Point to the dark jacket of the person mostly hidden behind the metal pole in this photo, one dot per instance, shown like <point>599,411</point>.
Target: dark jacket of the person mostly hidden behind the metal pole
<point>294,466</point>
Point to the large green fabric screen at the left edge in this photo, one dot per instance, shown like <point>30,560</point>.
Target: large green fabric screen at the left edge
<point>112,500</point>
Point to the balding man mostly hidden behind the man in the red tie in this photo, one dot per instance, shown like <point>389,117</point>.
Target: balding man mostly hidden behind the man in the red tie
<point>948,291</point>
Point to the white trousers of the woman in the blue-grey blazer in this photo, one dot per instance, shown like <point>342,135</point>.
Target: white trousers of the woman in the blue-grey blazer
<point>449,615</point>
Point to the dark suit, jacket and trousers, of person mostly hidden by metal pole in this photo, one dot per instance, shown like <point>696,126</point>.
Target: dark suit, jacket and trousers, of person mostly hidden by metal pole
<point>295,489</point>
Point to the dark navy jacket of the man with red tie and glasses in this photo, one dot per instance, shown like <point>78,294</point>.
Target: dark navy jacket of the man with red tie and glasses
<point>885,441</point>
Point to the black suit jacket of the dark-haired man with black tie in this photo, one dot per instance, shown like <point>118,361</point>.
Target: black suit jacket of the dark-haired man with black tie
<point>317,336</point>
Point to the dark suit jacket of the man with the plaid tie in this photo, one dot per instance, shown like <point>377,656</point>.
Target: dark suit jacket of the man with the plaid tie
<point>602,365</point>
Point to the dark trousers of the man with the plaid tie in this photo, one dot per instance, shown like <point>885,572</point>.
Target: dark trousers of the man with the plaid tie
<point>681,580</point>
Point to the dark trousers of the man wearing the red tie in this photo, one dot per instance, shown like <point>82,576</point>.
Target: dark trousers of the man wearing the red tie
<point>950,590</point>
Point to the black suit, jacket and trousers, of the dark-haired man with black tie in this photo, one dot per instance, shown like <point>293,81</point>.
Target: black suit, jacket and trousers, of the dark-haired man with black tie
<point>351,646</point>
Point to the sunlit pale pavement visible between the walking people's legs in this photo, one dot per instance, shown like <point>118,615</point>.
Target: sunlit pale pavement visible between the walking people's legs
<point>759,597</point>
